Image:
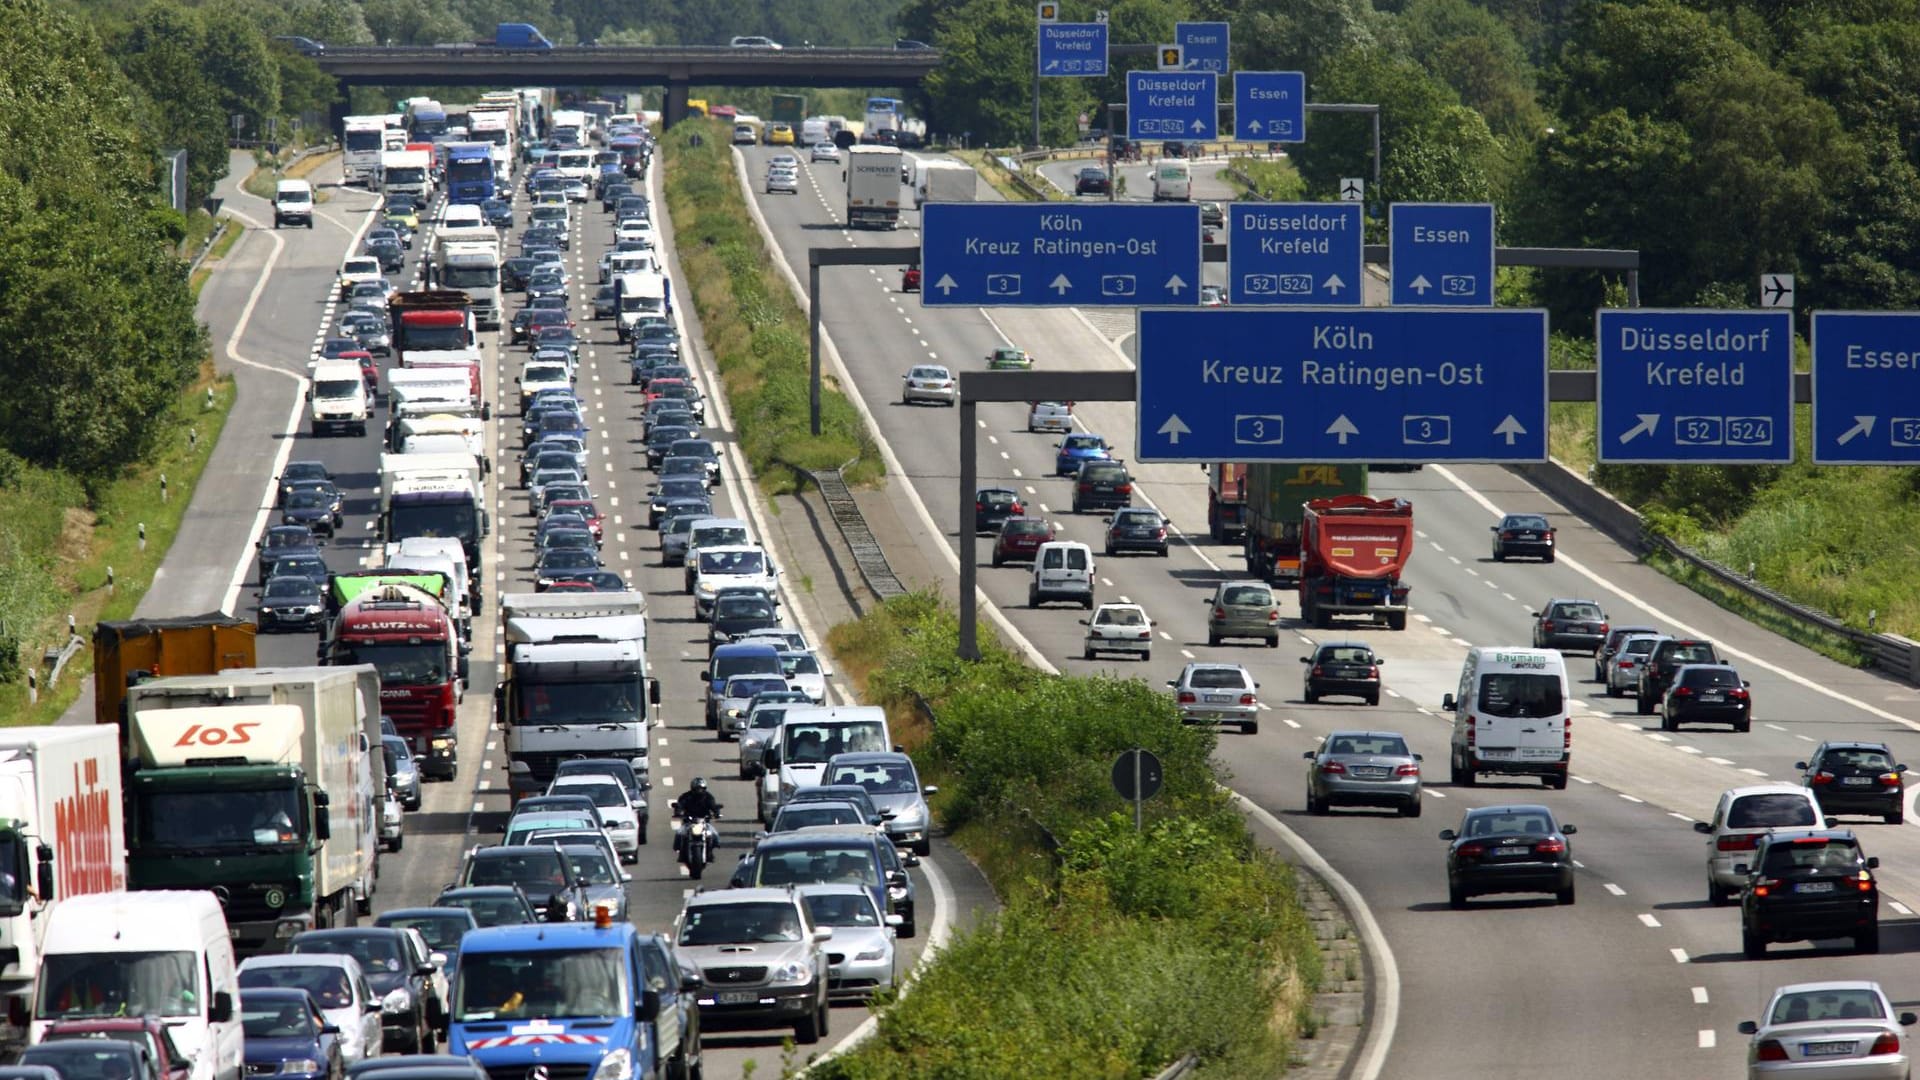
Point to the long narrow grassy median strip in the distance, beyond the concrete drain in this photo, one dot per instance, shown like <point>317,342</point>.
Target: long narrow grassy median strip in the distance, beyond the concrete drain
<point>752,324</point>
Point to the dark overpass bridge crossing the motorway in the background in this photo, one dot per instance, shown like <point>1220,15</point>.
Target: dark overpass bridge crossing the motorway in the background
<point>673,68</point>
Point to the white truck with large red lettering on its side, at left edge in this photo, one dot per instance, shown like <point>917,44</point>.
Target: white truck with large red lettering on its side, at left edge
<point>60,837</point>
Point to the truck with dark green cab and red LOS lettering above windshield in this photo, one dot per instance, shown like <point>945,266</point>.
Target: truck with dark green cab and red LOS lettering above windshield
<point>260,785</point>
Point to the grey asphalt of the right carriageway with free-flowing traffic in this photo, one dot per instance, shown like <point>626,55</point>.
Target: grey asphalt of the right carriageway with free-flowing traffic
<point>1641,977</point>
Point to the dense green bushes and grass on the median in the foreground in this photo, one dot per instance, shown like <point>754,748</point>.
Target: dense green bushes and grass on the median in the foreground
<point>1120,952</point>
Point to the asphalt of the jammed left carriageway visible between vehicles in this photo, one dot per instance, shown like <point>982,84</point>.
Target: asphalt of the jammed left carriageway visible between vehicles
<point>276,322</point>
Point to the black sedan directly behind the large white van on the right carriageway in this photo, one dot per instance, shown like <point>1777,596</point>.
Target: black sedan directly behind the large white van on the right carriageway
<point>1516,848</point>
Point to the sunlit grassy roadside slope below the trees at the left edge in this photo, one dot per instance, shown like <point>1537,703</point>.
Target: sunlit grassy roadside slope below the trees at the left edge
<point>57,547</point>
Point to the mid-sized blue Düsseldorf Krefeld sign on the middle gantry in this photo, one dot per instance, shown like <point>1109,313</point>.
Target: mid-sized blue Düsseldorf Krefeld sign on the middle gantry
<point>1295,253</point>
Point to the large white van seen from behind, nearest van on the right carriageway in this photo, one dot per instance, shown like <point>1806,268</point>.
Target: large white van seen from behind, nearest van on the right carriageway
<point>1510,716</point>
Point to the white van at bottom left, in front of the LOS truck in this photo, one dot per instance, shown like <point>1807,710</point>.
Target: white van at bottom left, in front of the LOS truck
<point>139,954</point>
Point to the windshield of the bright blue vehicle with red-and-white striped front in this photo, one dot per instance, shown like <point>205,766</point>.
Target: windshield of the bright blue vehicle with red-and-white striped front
<point>540,985</point>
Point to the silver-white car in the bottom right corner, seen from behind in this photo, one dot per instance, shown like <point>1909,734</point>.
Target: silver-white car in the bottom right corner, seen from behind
<point>1825,1029</point>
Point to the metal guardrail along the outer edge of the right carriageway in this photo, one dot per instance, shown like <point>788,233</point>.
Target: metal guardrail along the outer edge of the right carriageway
<point>1888,652</point>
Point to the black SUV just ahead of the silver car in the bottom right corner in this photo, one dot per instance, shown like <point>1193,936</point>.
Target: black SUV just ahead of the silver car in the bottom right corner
<point>1806,889</point>
